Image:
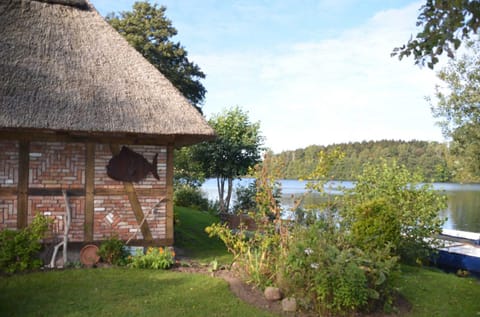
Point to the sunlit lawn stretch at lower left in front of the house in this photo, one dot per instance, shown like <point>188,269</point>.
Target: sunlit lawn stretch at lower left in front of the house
<point>119,292</point>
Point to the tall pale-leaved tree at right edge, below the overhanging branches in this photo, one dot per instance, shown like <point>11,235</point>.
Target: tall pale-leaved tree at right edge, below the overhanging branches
<point>458,108</point>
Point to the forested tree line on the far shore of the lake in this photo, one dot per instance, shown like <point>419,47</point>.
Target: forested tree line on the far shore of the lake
<point>431,159</point>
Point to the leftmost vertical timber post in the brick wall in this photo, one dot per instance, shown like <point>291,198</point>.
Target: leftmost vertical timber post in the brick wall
<point>22,189</point>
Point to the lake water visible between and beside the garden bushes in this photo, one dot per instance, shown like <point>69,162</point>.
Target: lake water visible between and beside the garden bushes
<point>463,211</point>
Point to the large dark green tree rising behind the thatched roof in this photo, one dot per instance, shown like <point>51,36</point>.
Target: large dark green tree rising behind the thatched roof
<point>148,30</point>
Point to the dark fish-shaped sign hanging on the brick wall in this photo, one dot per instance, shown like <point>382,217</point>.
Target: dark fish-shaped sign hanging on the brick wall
<point>129,166</point>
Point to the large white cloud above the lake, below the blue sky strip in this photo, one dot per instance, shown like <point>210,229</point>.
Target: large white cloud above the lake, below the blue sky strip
<point>340,89</point>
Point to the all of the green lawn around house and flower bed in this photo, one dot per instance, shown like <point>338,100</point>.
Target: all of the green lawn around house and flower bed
<point>132,292</point>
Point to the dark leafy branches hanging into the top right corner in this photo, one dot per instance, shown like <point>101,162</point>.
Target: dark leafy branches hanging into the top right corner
<point>445,24</point>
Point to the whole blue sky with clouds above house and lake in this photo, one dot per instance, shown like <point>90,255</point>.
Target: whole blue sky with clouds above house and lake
<point>312,72</point>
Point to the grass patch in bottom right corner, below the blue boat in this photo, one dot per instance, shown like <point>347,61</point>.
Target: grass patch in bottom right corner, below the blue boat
<point>435,293</point>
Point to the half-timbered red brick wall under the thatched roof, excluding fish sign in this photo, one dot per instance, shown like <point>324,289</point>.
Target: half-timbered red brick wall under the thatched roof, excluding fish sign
<point>57,166</point>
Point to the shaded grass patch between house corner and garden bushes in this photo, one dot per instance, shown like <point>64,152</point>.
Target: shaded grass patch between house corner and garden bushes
<point>190,235</point>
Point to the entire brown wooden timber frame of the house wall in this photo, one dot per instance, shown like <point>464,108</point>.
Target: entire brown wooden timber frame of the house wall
<point>23,192</point>
